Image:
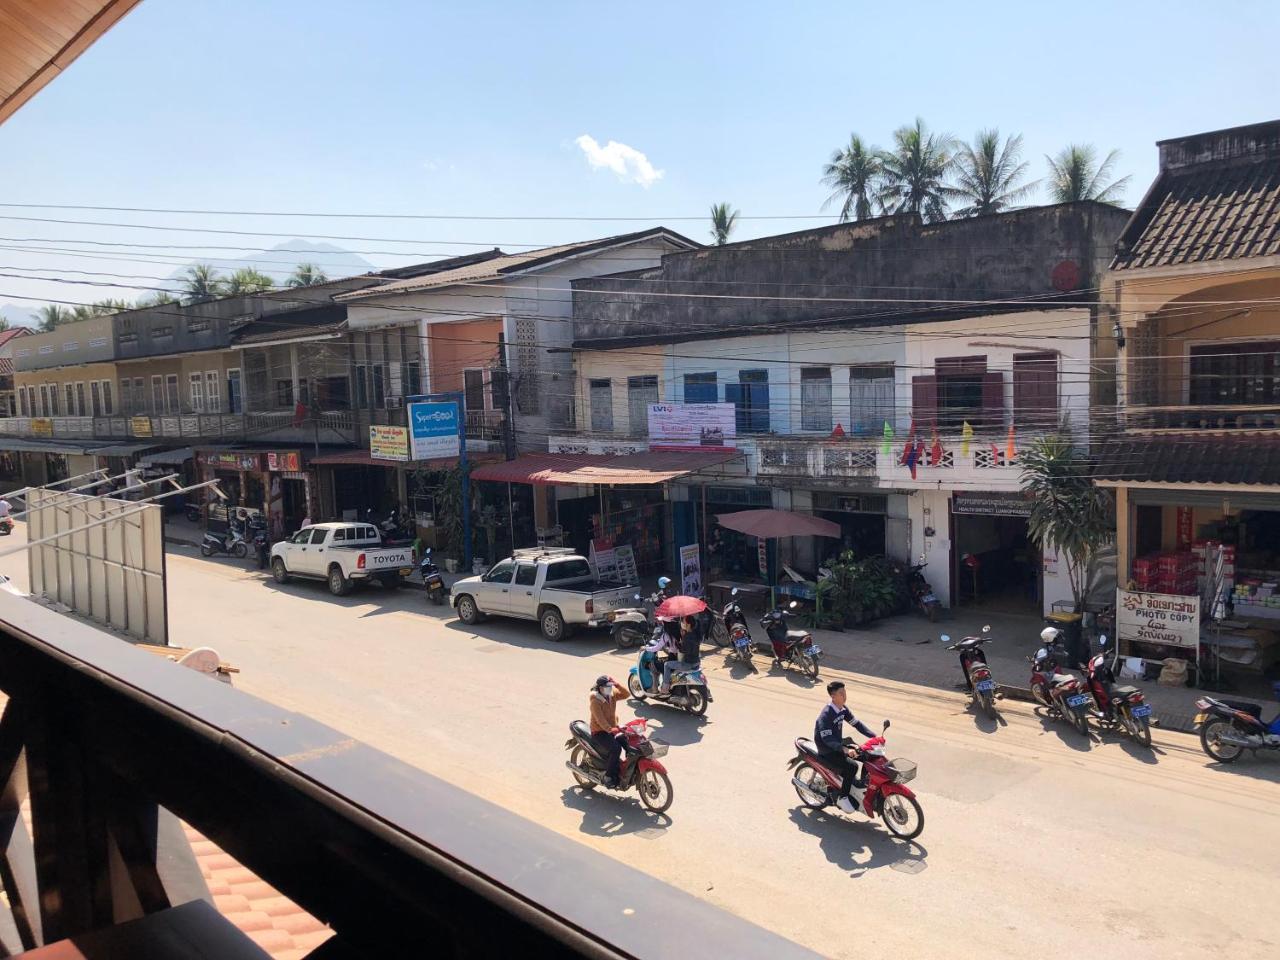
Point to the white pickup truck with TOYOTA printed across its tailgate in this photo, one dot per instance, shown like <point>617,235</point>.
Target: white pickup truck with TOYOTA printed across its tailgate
<point>342,555</point>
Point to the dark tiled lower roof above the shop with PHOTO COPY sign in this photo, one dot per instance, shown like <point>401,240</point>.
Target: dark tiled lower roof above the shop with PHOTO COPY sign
<point>1187,459</point>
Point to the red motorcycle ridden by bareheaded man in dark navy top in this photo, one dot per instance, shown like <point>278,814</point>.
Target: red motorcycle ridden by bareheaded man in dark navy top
<point>886,794</point>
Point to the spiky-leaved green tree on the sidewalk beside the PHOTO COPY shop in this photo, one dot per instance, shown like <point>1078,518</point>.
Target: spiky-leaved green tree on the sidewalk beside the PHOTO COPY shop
<point>1071,514</point>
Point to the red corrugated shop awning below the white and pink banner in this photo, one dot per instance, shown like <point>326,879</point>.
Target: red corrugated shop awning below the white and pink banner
<point>624,470</point>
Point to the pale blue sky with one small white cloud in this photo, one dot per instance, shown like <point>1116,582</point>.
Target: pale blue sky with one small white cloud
<point>612,117</point>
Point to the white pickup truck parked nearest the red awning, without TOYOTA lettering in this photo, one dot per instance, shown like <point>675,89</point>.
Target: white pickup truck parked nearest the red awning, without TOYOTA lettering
<point>554,587</point>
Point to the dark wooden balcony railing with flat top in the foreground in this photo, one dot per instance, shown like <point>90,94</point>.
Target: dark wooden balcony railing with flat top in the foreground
<point>113,747</point>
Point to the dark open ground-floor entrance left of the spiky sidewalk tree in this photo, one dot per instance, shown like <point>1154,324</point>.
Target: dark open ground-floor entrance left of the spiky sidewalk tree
<point>995,565</point>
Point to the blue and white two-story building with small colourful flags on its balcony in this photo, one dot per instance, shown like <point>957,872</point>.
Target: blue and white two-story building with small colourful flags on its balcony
<point>883,376</point>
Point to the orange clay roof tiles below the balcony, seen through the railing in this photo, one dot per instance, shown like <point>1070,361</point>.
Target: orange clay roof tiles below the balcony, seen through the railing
<point>275,922</point>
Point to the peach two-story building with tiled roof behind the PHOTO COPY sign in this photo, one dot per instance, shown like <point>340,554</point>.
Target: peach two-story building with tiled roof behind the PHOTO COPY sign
<point>1195,458</point>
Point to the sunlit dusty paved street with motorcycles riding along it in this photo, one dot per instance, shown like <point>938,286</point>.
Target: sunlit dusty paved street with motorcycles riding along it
<point>1034,839</point>
